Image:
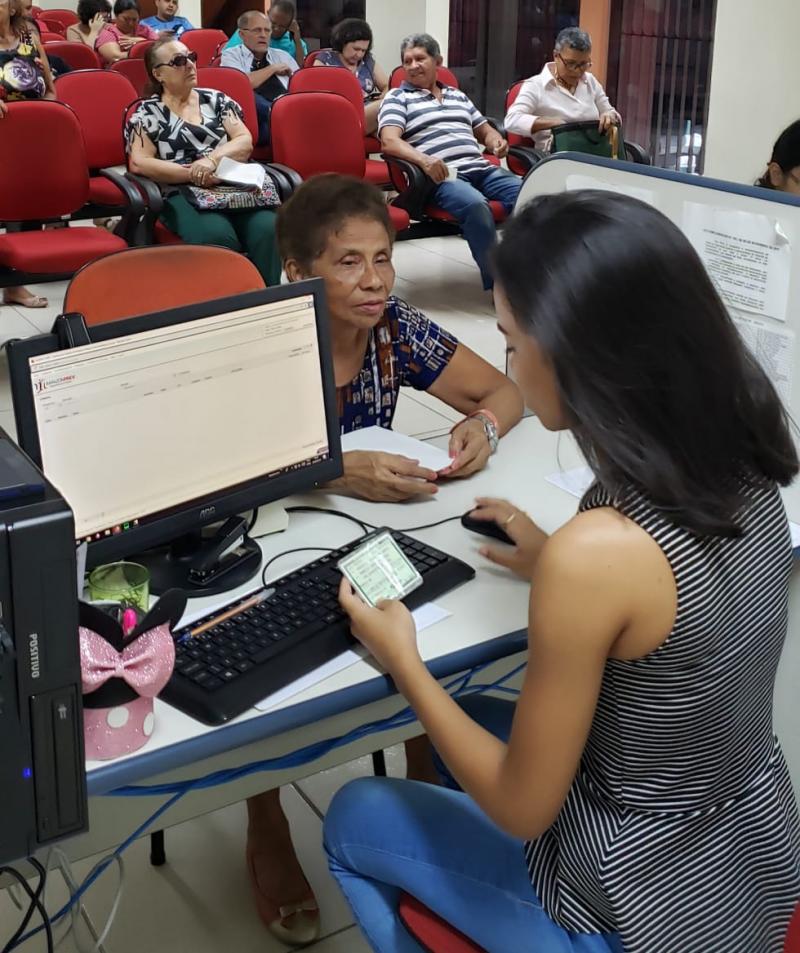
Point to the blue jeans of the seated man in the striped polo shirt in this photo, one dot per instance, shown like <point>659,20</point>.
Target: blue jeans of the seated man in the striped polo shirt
<point>465,199</point>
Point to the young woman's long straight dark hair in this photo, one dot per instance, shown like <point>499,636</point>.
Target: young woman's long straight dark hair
<point>661,394</point>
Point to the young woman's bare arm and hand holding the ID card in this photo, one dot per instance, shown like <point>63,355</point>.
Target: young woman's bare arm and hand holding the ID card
<point>580,603</point>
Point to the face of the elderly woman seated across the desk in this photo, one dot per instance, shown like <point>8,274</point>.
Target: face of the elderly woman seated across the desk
<point>358,273</point>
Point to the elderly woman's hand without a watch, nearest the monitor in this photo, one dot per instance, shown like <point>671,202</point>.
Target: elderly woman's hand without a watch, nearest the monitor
<point>386,477</point>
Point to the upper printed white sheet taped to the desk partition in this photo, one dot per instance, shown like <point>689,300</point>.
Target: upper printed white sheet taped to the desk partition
<point>748,256</point>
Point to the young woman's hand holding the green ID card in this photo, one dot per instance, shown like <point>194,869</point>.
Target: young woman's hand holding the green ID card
<point>388,632</point>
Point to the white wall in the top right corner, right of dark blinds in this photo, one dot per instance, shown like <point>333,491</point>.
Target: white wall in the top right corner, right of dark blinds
<point>753,85</point>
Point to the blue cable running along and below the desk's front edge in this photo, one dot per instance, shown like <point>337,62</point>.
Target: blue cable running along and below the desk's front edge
<point>460,686</point>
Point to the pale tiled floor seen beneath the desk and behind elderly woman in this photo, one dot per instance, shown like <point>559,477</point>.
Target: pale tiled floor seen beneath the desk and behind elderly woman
<point>200,901</point>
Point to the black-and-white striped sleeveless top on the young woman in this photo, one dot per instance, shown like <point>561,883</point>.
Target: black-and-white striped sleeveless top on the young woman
<point>681,829</point>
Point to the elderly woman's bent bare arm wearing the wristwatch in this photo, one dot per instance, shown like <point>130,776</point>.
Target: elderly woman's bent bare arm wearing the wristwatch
<point>467,384</point>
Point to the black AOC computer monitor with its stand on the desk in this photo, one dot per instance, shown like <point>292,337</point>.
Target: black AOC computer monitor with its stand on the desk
<point>170,422</point>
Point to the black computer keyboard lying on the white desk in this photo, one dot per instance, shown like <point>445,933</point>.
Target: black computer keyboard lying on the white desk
<point>226,669</point>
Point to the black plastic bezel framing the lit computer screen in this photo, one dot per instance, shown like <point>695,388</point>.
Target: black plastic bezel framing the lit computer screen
<point>249,496</point>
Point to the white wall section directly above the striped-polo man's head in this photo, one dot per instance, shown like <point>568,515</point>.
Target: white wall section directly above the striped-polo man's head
<point>392,20</point>
